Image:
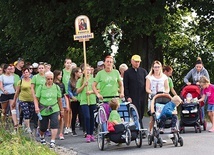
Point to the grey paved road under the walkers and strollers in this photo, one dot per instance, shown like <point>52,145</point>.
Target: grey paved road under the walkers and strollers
<point>194,143</point>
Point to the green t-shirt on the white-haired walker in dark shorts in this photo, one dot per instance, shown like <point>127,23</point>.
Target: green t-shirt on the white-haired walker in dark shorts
<point>48,97</point>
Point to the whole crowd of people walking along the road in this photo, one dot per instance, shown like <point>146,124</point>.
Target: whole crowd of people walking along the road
<point>63,96</point>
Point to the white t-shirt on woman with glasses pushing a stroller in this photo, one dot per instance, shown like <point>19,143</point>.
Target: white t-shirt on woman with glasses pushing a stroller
<point>157,84</point>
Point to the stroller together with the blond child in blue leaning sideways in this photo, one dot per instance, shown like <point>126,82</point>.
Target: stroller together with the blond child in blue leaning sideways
<point>163,109</point>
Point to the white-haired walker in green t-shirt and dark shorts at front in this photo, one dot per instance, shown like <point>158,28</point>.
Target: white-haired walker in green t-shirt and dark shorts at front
<point>48,102</point>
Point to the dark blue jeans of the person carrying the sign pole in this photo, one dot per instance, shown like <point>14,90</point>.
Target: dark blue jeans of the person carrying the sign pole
<point>88,114</point>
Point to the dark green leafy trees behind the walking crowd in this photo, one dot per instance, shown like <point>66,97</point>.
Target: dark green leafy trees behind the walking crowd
<point>43,31</point>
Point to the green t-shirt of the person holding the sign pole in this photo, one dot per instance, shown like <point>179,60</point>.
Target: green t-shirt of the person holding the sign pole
<point>82,97</point>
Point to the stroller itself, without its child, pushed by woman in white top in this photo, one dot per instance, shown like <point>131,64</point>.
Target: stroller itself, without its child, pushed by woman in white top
<point>160,102</point>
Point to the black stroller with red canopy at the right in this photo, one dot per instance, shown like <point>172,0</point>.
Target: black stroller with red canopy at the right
<point>191,111</point>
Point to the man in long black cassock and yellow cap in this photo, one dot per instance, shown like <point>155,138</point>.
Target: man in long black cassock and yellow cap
<point>134,86</point>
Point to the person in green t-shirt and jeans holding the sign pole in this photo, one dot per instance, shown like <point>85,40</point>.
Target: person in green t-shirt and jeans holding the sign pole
<point>87,100</point>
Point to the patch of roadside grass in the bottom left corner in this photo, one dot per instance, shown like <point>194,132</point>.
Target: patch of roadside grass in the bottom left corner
<point>20,143</point>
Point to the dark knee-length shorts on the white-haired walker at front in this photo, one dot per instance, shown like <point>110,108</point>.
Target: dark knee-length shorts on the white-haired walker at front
<point>54,122</point>
